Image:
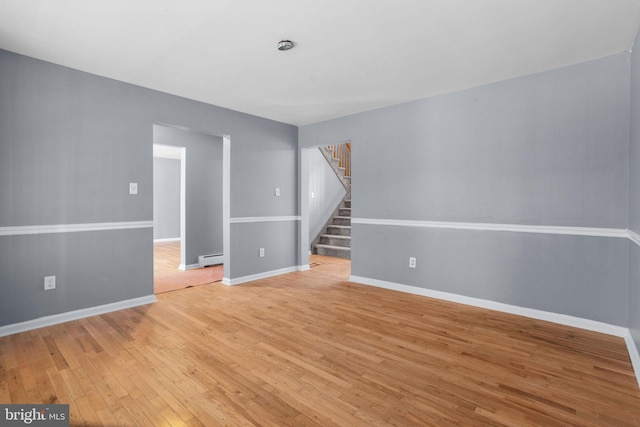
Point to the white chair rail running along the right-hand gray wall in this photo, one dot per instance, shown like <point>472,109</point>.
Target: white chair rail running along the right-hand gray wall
<point>518,228</point>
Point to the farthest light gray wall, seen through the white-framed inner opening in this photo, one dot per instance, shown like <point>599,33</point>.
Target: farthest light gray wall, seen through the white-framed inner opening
<point>166,198</point>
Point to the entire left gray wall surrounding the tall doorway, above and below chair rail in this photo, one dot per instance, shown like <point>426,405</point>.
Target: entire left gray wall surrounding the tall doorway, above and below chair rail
<point>70,142</point>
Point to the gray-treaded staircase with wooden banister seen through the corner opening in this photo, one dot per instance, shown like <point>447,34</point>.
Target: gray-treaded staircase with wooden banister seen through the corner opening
<point>335,238</point>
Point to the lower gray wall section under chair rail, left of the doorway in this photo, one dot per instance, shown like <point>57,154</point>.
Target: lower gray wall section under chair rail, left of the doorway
<point>91,268</point>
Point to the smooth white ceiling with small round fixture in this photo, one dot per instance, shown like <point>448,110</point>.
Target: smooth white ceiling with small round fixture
<point>350,55</point>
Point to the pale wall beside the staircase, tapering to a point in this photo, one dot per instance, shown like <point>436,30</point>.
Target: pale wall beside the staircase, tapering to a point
<point>327,191</point>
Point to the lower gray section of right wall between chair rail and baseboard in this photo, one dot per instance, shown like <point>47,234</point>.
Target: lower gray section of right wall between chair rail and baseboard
<point>564,274</point>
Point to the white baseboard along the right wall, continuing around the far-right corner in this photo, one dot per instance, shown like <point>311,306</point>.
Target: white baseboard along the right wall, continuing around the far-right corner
<point>562,319</point>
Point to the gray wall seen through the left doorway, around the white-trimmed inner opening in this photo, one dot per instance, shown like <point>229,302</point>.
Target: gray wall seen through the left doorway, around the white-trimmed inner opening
<point>203,198</point>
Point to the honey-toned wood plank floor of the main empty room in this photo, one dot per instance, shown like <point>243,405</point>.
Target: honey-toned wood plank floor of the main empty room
<point>310,348</point>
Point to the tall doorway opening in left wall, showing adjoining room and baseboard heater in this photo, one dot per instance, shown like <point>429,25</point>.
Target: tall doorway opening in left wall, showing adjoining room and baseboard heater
<point>190,207</point>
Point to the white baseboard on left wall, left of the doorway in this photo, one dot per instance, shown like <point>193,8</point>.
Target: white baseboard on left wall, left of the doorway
<point>74,315</point>
